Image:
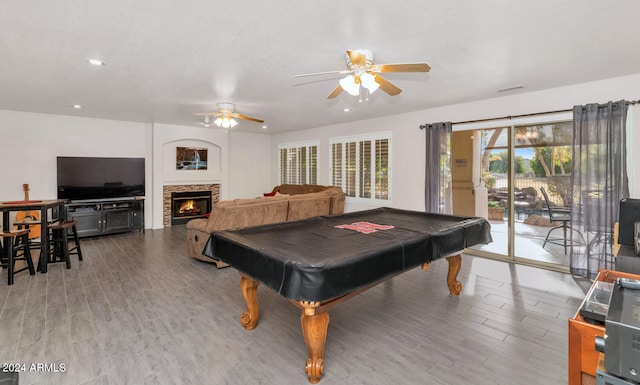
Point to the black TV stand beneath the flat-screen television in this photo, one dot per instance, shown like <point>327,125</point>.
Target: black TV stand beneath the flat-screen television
<point>106,216</point>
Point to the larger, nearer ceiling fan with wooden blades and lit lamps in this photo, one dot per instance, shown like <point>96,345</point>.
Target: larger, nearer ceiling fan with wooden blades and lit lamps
<point>362,72</point>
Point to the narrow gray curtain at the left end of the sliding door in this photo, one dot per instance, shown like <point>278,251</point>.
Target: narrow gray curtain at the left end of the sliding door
<point>437,187</point>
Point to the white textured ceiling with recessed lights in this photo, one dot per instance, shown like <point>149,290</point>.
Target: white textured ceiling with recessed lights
<point>166,59</point>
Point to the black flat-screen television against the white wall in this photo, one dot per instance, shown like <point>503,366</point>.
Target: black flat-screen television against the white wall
<point>82,178</point>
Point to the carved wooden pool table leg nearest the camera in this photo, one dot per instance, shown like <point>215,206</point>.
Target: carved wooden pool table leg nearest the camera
<point>314,330</point>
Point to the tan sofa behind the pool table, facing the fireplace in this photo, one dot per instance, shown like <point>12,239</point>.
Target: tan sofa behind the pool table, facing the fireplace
<point>241,213</point>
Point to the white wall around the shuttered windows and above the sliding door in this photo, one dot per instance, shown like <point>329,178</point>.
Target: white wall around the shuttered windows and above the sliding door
<point>408,140</point>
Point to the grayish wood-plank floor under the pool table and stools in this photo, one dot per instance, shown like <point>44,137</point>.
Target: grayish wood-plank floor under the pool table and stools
<point>137,310</point>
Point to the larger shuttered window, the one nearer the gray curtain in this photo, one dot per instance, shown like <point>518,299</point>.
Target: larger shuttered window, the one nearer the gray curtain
<point>361,166</point>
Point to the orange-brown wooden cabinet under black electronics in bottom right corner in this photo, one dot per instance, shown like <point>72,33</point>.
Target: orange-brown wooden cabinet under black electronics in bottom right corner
<point>583,357</point>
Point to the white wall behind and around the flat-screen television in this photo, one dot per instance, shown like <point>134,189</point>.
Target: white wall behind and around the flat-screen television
<point>30,143</point>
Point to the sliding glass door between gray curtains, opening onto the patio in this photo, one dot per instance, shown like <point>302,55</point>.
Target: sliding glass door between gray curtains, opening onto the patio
<point>520,163</point>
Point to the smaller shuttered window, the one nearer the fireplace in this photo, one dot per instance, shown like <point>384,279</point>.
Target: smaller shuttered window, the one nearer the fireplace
<point>298,163</point>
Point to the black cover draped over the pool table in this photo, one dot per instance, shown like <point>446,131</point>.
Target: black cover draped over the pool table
<point>314,260</point>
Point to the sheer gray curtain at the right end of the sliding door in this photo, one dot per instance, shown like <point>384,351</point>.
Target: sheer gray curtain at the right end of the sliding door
<point>599,181</point>
